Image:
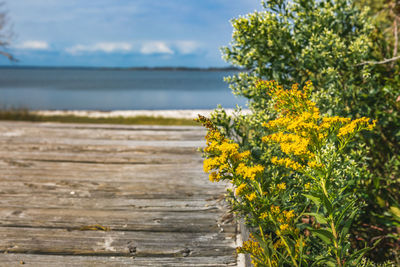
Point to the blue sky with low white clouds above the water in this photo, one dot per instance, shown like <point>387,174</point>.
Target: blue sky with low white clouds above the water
<point>122,33</point>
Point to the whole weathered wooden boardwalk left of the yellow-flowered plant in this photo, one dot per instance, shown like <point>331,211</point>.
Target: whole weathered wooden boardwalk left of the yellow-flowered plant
<point>109,195</point>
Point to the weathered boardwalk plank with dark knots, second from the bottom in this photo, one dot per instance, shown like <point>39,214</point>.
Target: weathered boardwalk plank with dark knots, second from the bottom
<point>114,243</point>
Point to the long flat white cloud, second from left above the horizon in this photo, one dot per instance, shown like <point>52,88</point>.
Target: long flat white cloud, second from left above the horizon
<point>101,47</point>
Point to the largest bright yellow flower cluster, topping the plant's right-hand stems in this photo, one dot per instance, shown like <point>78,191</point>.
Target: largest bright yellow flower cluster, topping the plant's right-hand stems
<point>300,129</point>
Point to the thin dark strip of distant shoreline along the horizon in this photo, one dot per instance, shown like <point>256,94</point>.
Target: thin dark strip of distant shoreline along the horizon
<point>211,69</point>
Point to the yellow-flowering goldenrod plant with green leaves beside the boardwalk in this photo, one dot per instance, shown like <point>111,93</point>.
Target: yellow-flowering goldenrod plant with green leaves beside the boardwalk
<point>299,196</point>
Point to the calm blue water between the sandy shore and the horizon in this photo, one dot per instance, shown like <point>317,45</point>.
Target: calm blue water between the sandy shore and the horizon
<point>114,89</point>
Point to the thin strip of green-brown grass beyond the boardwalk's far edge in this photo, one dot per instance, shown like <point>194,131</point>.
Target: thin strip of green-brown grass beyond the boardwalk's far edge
<point>25,115</point>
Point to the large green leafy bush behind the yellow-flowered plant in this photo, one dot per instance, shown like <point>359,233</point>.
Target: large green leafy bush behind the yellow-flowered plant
<point>339,47</point>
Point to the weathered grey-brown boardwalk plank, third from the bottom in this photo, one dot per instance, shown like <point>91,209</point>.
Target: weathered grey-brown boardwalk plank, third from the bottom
<point>175,221</point>
